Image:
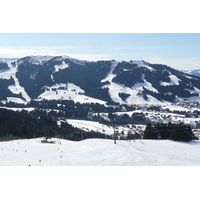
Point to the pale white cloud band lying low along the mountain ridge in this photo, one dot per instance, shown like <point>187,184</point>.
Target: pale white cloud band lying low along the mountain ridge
<point>17,52</point>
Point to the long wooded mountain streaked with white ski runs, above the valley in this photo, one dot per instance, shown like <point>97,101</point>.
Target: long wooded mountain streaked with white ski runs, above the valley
<point>65,78</point>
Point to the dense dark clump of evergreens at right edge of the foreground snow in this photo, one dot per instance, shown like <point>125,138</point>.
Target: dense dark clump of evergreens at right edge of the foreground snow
<point>176,132</point>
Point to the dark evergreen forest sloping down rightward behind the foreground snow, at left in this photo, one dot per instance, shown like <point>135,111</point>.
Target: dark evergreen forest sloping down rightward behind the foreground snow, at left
<point>15,125</point>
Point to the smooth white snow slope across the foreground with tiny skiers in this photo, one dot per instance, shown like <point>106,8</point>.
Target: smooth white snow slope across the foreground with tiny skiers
<point>99,152</point>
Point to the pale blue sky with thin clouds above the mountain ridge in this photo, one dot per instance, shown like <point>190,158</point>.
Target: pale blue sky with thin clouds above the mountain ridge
<point>178,50</point>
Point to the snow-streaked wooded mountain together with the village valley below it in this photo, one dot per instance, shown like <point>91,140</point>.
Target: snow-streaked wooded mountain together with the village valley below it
<point>114,95</point>
